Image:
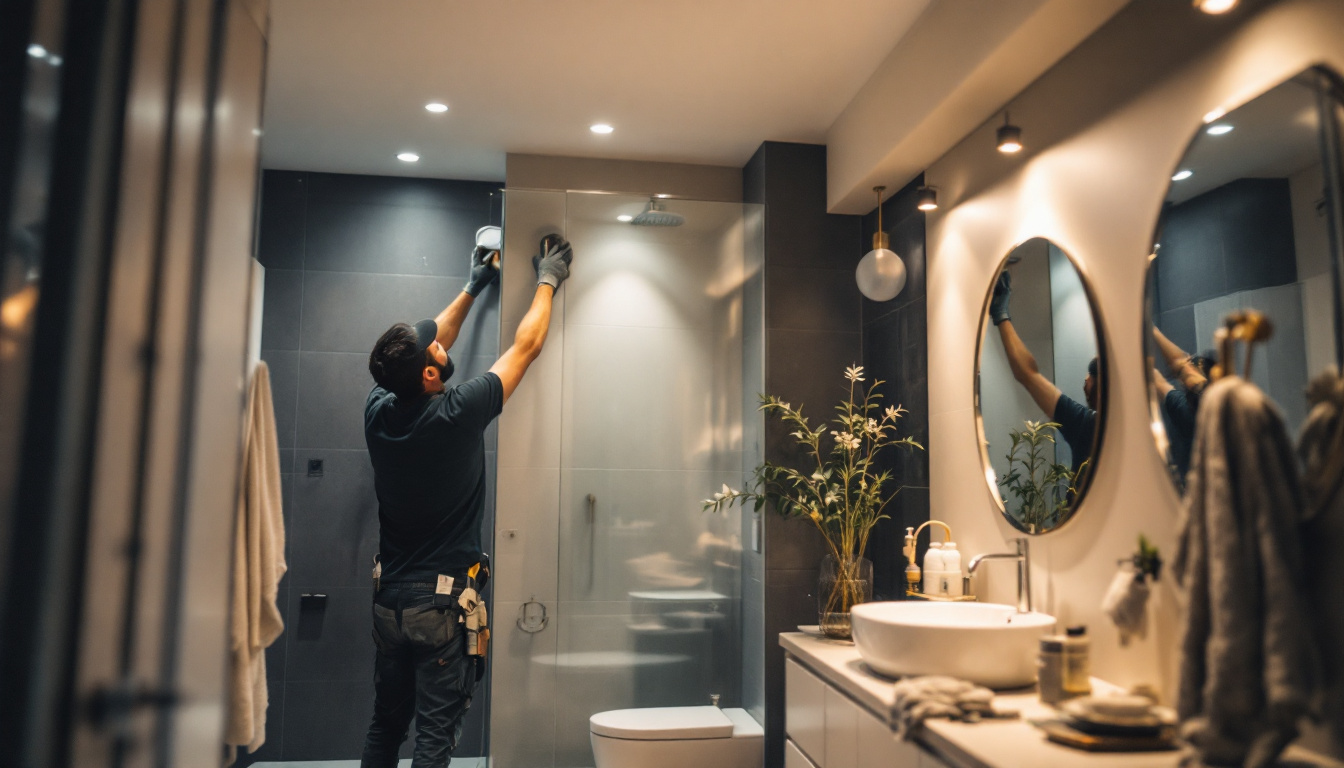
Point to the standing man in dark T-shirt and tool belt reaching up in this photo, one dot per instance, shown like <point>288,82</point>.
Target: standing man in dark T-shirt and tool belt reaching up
<point>428,449</point>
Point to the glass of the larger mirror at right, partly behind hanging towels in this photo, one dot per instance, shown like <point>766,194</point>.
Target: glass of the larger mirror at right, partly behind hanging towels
<point>1248,225</point>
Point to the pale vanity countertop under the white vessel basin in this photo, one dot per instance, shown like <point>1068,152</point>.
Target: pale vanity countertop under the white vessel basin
<point>989,744</point>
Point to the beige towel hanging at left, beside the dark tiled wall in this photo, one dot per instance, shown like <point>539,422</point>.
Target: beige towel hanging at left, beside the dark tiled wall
<point>256,621</point>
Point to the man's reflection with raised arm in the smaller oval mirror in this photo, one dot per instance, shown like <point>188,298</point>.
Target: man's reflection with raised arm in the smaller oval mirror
<point>1077,422</point>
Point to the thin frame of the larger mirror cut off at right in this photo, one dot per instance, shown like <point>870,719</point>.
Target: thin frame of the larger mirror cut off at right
<point>1329,88</point>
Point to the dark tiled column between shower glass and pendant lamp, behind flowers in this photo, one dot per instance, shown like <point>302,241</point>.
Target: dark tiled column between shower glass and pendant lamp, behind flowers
<point>812,332</point>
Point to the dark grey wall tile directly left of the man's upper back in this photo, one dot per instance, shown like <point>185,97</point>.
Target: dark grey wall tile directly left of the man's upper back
<point>331,403</point>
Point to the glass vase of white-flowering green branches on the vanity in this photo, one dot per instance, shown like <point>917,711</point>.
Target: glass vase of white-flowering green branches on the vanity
<point>845,497</point>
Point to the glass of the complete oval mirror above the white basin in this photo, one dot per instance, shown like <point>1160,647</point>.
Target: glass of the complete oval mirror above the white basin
<point>1040,387</point>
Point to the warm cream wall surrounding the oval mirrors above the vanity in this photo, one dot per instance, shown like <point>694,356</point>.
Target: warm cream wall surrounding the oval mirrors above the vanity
<point>1093,181</point>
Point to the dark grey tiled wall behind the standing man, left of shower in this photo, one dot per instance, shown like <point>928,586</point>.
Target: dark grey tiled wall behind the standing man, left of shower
<point>346,258</point>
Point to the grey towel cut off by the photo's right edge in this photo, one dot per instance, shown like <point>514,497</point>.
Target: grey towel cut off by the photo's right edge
<point>1322,451</point>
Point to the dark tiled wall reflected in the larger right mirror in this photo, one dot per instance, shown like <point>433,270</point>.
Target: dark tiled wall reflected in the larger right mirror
<point>1237,237</point>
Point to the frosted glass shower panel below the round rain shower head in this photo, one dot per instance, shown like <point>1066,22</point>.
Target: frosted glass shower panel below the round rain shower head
<point>651,423</point>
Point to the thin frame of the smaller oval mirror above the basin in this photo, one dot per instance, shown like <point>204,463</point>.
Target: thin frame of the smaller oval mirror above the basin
<point>1103,393</point>
